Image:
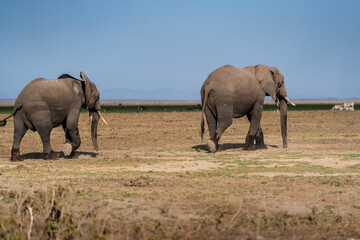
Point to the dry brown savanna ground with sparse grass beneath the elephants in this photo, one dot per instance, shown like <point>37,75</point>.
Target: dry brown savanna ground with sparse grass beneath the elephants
<point>152,178</point>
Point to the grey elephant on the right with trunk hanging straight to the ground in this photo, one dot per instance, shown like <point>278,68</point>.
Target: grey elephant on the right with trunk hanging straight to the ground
<point>230,92</point>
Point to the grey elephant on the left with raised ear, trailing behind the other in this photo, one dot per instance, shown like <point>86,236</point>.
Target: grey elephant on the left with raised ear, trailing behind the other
<point>44,104</point>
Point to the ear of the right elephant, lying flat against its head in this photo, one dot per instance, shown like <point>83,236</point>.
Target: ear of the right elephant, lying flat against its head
<point>265,76</point>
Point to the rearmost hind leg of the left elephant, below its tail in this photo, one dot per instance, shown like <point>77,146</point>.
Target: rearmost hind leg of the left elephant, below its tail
<point>19,131</point>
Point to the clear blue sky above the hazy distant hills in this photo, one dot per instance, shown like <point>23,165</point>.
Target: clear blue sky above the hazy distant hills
<point>147,45</point>
